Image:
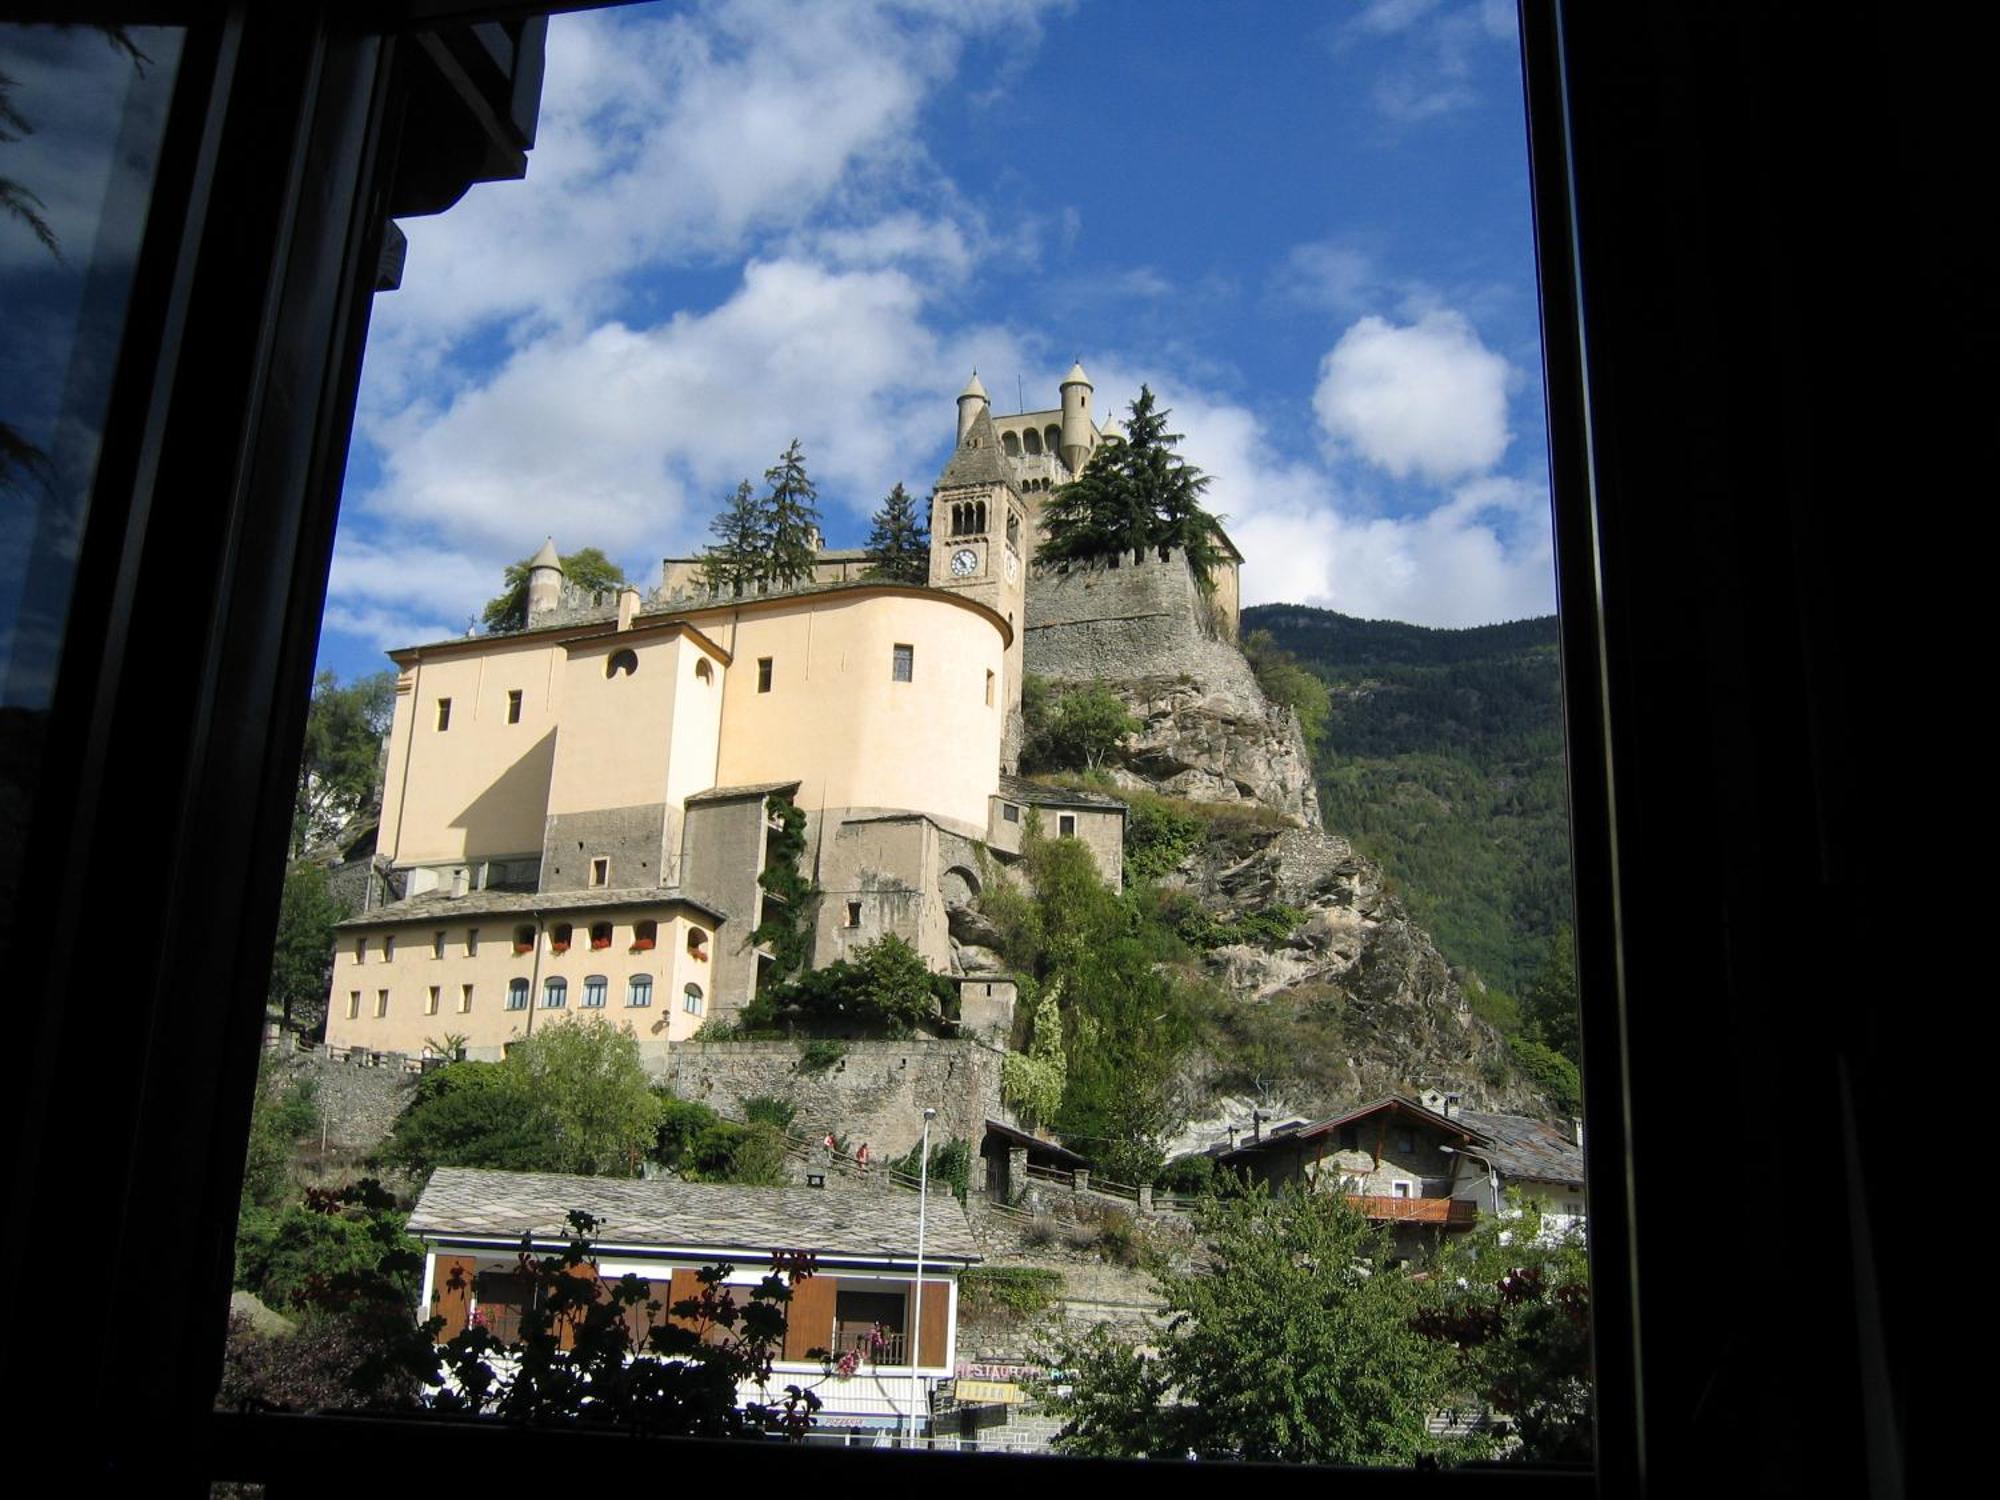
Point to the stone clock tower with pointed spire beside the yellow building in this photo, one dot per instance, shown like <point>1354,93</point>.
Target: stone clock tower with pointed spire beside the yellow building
<point>981,535</point>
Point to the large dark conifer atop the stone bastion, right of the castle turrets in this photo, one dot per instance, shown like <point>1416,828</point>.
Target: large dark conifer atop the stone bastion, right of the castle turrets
<point>1135,495</point>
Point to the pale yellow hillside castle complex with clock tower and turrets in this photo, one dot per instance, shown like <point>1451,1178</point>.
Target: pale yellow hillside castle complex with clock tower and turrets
<point>579,813</point>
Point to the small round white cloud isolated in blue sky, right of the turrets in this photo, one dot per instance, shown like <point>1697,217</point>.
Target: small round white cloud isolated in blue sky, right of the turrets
<point>1417,399</point>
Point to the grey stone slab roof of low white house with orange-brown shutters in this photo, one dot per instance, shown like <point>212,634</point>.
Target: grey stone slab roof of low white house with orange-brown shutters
<point>707,1217</point>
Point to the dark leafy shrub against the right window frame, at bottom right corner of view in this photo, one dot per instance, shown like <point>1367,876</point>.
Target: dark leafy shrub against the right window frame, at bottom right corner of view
<point>1513,1303</point>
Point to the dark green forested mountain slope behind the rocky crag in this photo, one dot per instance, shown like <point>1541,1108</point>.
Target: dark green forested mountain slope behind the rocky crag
<point>1443,761</point>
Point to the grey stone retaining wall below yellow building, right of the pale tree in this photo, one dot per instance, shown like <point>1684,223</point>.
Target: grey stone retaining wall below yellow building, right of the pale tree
<point>877,1093</point>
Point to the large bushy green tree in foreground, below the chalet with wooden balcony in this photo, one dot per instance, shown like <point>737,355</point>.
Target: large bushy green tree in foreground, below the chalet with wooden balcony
<point>1293,1343</point>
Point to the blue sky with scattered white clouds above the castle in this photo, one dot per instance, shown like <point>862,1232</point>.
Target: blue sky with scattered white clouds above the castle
<point>749,221</point>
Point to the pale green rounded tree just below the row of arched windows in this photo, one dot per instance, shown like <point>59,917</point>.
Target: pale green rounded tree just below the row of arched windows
<point>591,1087</point>
